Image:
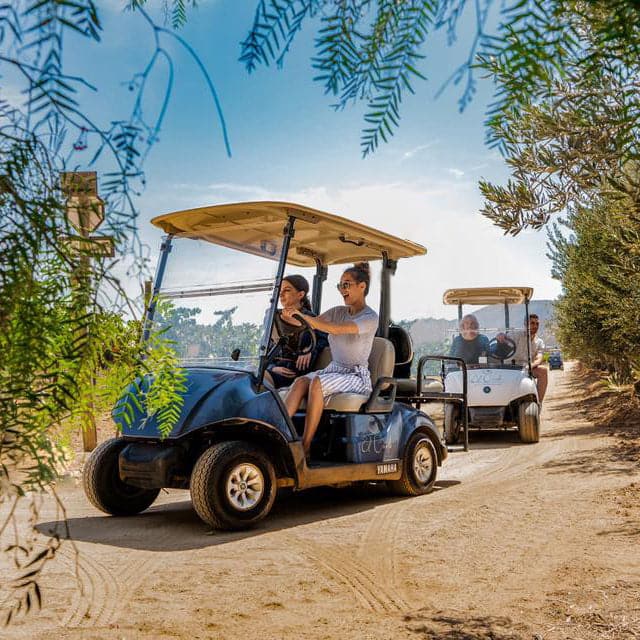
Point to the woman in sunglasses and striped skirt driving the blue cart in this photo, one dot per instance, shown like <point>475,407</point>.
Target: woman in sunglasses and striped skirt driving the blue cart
<point>351,330</point>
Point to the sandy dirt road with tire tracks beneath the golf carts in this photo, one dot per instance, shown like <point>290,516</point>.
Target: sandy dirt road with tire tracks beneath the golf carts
<point>518,541</point>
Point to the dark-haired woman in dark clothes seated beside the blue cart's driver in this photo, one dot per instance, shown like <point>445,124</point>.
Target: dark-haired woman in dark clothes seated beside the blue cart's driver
<point>287,364</point>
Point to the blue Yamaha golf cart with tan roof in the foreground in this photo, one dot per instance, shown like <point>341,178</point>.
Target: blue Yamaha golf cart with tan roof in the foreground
<point>234,445</point>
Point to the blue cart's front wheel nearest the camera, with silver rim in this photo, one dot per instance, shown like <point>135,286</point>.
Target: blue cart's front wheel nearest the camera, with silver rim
<point>233,485</point>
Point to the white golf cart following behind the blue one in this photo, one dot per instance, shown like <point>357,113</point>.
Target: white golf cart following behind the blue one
<point>501,390</point>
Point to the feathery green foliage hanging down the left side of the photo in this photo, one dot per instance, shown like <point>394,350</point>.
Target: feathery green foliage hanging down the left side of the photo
<point>66,350</point>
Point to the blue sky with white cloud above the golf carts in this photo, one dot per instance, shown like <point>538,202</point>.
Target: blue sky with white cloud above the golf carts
<point>288,144</point>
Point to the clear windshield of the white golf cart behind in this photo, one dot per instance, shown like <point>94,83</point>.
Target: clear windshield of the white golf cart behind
<point>490,336</point>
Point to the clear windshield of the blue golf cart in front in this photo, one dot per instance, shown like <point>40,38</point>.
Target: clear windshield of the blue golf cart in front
<point>213,303</point>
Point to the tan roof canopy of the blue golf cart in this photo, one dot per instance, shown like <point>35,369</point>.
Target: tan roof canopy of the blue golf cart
<point>257,227</point>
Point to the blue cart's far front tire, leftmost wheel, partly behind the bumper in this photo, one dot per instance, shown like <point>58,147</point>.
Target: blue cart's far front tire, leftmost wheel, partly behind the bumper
<point>104,488</point>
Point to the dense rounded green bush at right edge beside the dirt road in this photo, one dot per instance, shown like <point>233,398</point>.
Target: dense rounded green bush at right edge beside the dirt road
<point>599,264</point>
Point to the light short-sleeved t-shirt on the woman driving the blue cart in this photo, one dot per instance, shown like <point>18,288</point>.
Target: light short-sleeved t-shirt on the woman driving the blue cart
<point>352,349</point>
